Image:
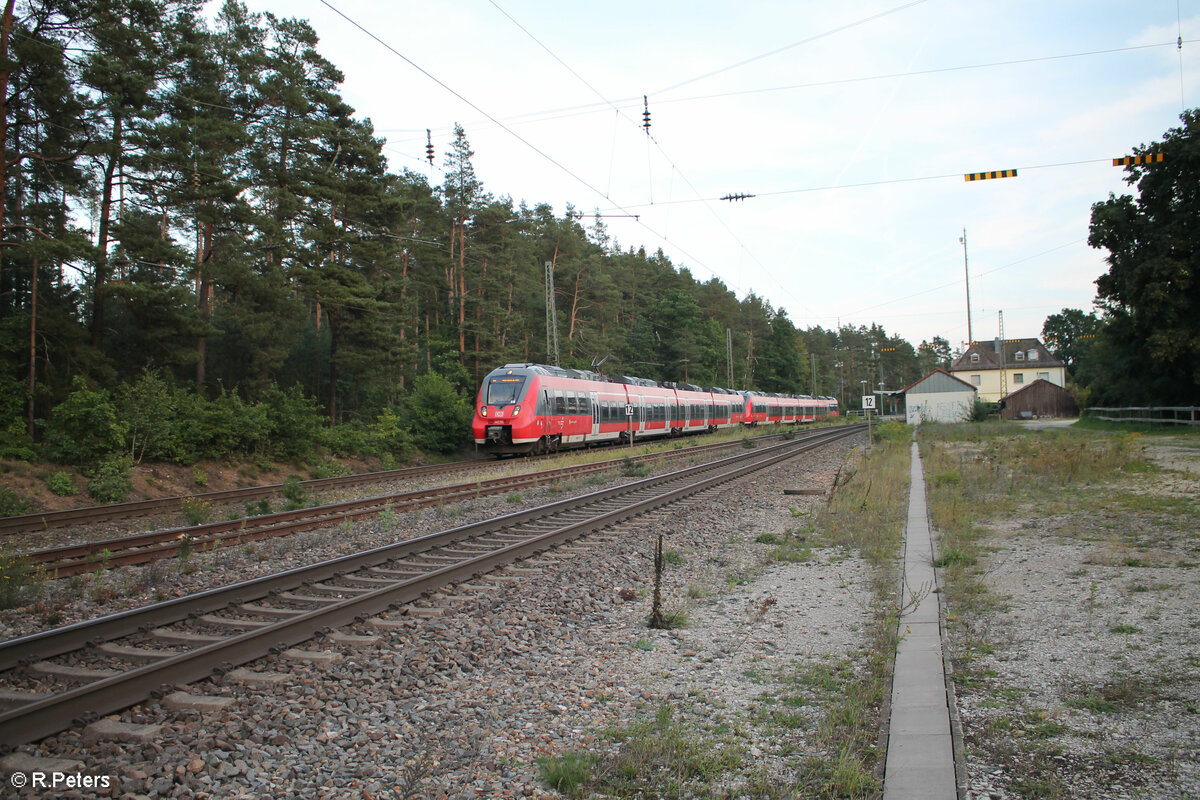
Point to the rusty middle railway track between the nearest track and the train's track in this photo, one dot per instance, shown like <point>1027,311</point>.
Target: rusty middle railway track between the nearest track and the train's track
<point>142,549</point>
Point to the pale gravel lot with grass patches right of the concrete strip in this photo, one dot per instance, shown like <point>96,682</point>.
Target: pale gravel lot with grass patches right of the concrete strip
<point>1090,688</point>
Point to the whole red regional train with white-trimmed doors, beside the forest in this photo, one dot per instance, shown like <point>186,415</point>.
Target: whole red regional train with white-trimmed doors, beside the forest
<point>529,408</point>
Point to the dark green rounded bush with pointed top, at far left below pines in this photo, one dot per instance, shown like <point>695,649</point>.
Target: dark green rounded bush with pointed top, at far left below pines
<point>86,428</point>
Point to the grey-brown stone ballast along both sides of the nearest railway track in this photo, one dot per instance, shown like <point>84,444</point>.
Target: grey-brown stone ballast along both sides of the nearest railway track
<point>461,701</point>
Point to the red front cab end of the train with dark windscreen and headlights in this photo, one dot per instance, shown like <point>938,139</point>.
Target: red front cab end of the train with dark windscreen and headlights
<point>505,423</point>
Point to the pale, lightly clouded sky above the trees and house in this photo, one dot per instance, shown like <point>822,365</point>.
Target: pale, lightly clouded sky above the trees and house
<point>851,124</point>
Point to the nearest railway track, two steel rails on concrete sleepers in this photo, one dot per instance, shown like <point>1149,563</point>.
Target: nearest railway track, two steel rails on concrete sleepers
<point>183,641</point>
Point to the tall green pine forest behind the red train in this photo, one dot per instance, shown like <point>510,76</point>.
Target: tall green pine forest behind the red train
<point>206,254</point>
